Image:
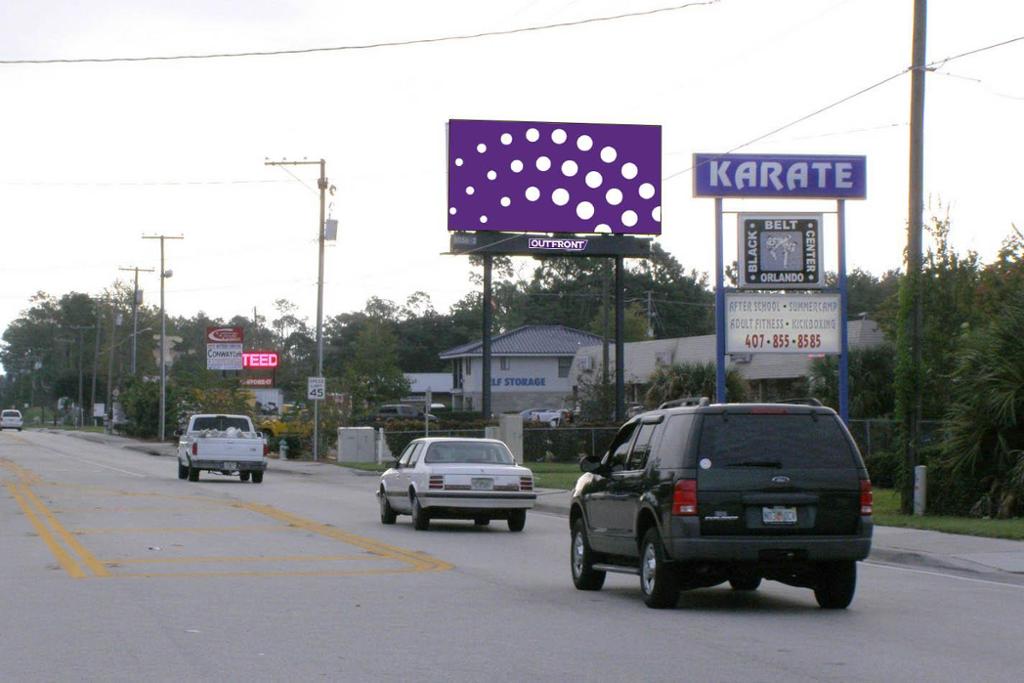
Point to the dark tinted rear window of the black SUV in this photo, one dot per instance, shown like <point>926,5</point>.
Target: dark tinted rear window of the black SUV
<point>776,441</point>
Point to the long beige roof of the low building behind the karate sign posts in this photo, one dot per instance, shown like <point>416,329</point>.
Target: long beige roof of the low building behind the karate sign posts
<point>643,359</point>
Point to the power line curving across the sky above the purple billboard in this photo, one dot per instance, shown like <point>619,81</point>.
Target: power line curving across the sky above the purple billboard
<point>367,47</point>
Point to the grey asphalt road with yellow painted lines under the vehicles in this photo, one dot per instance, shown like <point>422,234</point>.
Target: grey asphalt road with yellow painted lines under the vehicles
<point>113,570</point>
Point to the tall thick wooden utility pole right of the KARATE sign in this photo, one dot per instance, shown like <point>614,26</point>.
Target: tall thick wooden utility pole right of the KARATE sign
<point>914,322</point>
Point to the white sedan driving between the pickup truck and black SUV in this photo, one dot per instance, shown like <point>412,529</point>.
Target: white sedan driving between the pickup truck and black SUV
<point>457,479</point>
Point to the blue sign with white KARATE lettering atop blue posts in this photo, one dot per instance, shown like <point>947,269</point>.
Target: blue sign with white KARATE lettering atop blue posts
<point>794,177</point>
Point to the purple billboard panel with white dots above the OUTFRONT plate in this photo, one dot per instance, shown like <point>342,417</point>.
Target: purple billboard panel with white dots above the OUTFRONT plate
<point>522,177</point>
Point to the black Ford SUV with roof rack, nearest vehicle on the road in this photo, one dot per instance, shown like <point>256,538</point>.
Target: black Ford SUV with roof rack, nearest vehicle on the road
<point>696,496</point>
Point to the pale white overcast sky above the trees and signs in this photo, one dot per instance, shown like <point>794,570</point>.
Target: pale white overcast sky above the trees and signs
<point>97,155</point>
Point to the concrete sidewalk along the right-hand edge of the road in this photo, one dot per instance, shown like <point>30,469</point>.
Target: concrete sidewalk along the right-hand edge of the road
<point>966,554</point>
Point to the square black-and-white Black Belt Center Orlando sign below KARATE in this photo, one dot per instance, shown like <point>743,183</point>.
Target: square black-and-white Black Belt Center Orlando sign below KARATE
<point>780,251</point>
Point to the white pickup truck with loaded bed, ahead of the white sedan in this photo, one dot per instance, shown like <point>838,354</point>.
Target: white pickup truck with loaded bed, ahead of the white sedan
<point>226,444</point>
